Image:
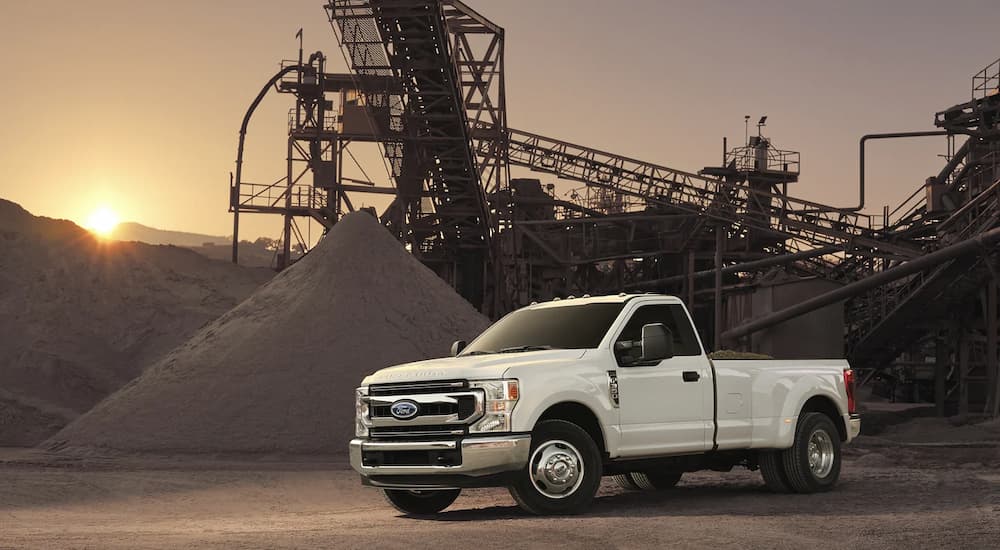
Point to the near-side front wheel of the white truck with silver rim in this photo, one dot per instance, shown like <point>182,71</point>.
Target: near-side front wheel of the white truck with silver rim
<point>569,485</point>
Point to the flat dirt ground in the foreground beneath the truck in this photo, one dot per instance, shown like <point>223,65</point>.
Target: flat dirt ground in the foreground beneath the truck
<point>888,498</point>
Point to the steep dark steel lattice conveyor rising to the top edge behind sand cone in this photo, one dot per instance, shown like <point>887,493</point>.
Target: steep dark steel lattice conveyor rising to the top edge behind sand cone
<point>429,142</point>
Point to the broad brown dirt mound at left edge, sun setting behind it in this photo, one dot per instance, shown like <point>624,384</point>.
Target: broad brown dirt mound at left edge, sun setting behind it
<point>80,317</point>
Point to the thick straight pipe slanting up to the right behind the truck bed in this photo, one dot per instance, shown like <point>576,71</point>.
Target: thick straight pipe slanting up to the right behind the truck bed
<point>963,248</point>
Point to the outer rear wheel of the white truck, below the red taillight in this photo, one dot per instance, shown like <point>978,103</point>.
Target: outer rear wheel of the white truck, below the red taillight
<point>811,474</point>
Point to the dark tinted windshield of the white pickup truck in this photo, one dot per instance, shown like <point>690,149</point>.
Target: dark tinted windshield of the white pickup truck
<point>563,327</point>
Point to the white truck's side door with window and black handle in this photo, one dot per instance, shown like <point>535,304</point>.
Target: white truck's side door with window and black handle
<point>666,407</point>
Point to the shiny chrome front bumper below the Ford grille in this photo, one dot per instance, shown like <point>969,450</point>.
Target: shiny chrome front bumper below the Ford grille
<point>481,456</point>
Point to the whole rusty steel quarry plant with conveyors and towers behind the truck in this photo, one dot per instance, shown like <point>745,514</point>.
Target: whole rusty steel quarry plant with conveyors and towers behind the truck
<point>426,83</point>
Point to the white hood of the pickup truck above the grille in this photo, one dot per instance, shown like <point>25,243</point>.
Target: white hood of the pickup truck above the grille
<point>476,367</point>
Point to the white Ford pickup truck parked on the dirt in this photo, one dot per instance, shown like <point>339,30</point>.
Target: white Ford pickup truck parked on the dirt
<point>556,395</point>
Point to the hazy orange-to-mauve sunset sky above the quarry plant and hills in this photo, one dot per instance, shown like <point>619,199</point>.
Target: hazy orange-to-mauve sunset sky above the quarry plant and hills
<point>135,105</point>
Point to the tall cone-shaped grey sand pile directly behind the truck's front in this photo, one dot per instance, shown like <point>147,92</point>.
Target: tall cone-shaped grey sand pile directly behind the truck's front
<point>278,372</point>
